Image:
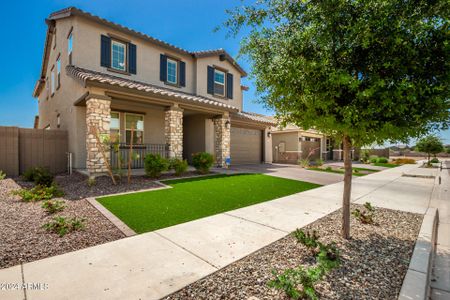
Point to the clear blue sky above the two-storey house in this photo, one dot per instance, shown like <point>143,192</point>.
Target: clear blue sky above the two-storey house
<point>188,24</point>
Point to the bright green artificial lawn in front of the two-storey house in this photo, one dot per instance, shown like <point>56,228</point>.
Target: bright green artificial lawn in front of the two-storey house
<point>194,198</point>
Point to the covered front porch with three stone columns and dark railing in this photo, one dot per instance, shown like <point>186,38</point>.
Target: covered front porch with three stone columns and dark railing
<point>158,126</point>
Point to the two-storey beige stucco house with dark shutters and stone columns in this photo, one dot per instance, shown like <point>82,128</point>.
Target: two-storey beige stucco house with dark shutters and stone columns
<point>98,76</point>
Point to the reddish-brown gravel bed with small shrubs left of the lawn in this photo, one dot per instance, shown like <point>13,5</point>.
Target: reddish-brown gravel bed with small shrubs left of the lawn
<point>23,239</point>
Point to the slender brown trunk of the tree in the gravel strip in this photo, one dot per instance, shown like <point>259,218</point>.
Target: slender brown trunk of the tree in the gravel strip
<point>347,188</point>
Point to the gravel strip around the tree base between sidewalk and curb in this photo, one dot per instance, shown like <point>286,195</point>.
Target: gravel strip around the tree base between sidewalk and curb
<point>373,263</point>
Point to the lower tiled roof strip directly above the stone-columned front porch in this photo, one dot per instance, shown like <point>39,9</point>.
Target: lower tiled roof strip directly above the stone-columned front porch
<point>85,75</point>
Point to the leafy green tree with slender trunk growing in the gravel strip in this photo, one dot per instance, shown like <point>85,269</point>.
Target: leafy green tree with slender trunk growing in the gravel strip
<point>361,71</point>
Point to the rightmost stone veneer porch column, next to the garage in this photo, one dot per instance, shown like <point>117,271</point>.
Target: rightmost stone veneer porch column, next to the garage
<point>222,139</point>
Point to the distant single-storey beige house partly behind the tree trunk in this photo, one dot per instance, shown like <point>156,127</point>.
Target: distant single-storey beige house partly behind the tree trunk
<point>291,143</point>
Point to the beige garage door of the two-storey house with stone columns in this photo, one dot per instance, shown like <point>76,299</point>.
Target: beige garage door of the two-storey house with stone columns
<point>246,146</point>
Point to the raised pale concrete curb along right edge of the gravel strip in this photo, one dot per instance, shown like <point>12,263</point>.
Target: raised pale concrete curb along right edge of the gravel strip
<point>416,284</point>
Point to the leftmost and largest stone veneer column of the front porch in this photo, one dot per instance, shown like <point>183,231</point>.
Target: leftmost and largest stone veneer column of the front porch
<point>98,117</point>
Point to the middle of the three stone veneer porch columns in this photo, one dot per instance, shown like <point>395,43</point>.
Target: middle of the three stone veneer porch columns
<point>174,131</point>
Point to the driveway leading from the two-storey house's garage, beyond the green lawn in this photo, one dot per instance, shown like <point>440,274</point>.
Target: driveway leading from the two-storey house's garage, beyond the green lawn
<point>290,172</point>
